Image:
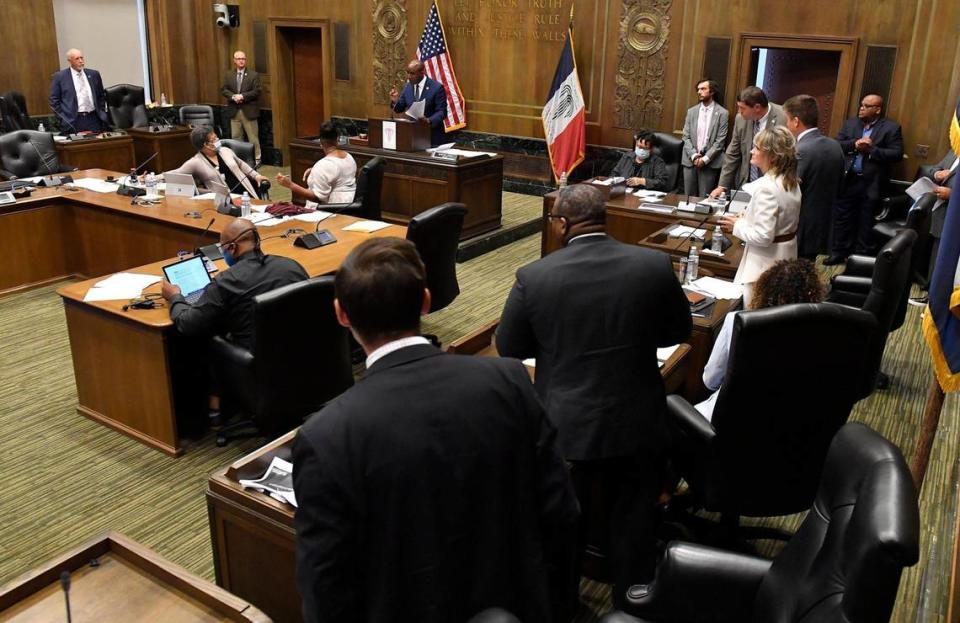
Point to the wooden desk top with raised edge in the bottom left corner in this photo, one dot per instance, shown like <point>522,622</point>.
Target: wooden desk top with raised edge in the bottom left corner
<point>130,583</point>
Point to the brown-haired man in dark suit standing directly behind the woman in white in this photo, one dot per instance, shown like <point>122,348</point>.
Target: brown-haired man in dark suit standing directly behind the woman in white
<point>820,168</point>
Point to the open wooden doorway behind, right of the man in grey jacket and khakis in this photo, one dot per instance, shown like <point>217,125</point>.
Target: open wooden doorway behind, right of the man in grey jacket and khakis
<point>299,50</point>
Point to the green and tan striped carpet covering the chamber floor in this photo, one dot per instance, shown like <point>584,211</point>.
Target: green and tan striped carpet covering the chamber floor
<point>67,478</point>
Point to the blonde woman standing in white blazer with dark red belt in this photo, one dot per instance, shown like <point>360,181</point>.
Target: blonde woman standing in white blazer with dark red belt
<point>768,225</point>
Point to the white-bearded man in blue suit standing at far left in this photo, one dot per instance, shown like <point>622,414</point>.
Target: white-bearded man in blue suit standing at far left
<point>77,96</point>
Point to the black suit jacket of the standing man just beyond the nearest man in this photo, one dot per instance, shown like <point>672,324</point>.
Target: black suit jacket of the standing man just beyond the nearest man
<point>593,315</point>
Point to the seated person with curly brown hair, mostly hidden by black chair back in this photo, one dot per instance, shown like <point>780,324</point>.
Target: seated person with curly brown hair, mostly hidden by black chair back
<point>786,282</point>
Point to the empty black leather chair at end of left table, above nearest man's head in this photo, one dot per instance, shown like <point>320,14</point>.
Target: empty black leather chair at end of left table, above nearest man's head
<point>436,234</point>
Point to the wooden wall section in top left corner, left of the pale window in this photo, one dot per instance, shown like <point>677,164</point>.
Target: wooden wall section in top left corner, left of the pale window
<point>30,46</point>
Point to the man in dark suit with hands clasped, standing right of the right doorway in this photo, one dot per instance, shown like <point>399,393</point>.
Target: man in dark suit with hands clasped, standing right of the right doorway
<point>870,143</point>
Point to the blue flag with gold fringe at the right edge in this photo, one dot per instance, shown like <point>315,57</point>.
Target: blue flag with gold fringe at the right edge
<point>941,323</point>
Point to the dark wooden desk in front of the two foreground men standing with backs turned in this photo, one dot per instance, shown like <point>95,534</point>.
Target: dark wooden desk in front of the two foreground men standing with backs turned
<point>250,531</point>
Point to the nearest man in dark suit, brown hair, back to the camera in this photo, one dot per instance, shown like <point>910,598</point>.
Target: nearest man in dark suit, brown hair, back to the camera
<point>432,489</point>
